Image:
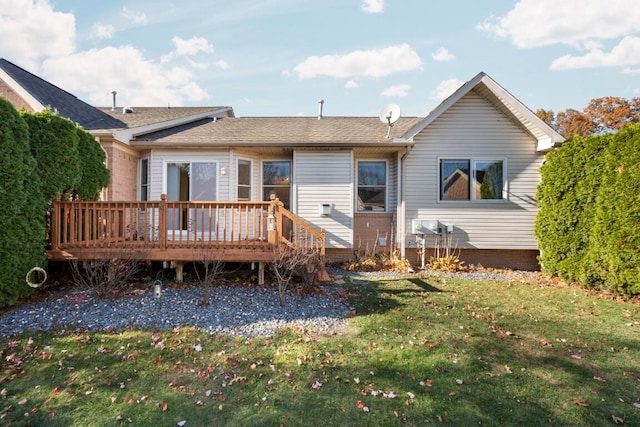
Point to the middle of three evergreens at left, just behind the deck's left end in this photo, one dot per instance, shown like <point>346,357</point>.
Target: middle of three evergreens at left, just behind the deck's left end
<point>54,144</point>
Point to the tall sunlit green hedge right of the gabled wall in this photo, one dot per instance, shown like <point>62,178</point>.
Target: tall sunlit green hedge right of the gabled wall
<point>588,225</point>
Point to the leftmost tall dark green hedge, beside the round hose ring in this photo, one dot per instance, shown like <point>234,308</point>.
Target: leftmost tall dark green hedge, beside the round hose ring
<point>22,207</point>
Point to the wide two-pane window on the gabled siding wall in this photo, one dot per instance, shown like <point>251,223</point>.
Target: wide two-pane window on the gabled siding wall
<point>470,179</point>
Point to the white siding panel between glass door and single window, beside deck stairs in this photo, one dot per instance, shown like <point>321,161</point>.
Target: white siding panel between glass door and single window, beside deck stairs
<point>326,177</point>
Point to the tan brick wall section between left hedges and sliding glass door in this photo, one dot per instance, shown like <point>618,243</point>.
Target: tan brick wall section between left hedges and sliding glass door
<point>124,176</point>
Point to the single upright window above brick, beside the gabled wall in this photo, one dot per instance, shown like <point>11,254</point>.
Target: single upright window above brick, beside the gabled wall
<point>372,186</point>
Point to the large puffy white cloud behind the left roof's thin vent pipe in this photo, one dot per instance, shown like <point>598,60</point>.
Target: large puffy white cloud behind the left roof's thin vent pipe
<point>138,82</point>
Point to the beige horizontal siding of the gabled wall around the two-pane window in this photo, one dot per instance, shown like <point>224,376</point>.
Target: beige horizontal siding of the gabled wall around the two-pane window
<point>473,128</point>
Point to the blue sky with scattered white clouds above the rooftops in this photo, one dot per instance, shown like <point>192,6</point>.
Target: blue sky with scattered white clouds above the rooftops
<point>279,57</point>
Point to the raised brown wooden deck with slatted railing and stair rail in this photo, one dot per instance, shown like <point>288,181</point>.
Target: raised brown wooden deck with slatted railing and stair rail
<point>177,231</point>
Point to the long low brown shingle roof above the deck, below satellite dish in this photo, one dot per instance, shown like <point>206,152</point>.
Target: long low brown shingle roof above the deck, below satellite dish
<point>281,132</point>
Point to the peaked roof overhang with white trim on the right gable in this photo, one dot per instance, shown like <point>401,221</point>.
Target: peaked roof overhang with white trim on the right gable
<point>486,87</point>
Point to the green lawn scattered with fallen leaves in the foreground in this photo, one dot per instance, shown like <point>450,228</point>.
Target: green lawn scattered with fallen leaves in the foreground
<point>419,351</point>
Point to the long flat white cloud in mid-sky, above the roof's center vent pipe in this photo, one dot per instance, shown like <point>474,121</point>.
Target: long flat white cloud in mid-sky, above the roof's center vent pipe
<point>361,63</point>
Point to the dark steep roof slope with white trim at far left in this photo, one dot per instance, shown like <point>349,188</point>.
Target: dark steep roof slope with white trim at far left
<point>40,94</point>
